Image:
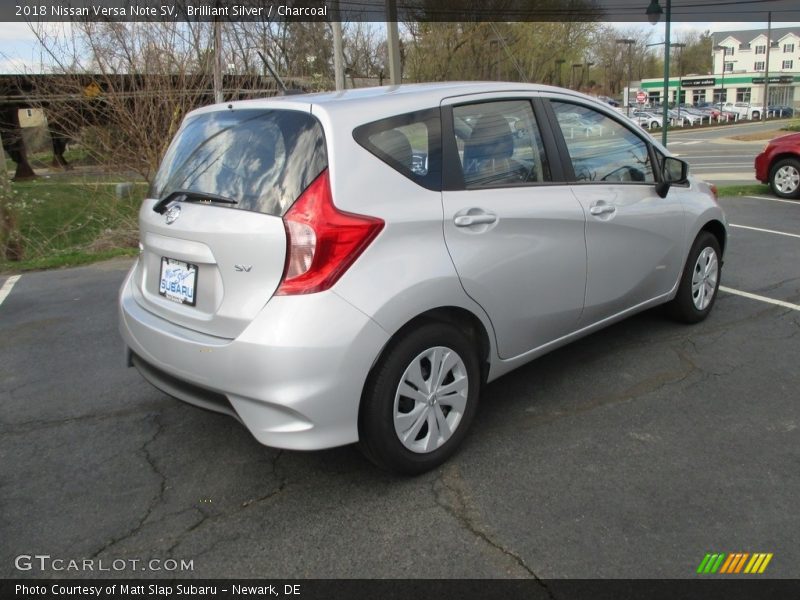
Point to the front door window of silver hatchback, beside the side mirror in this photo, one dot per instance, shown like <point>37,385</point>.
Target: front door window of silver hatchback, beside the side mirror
<point>602,149</point>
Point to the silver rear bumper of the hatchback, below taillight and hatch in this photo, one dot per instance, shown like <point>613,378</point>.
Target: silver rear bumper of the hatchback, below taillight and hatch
<point>294,377</point>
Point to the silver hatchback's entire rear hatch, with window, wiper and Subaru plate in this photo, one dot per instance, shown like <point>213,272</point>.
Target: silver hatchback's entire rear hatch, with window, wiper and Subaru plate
<point>212,234</point>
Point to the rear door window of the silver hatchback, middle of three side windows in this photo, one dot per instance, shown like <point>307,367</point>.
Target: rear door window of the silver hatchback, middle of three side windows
<point>499,144</point>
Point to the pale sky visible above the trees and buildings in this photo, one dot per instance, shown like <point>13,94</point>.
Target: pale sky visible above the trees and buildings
<point>19,51</point>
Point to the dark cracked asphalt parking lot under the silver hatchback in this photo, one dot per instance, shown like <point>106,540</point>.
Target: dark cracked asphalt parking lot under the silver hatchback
<point>631,453</point>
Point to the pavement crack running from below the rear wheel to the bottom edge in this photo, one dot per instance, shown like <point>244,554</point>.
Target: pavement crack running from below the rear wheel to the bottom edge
<point>450,495</point>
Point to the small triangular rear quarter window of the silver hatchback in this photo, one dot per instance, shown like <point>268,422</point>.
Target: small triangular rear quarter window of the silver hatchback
<point>409,143</point>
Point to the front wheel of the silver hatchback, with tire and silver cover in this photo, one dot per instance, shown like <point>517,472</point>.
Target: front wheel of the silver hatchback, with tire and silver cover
<point>699,283</point>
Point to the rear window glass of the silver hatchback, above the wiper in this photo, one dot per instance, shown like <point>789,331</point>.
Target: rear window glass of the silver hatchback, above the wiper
<point>263,159</point>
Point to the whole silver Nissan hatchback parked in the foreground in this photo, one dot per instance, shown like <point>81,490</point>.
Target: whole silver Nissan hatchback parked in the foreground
<point>353,267</point>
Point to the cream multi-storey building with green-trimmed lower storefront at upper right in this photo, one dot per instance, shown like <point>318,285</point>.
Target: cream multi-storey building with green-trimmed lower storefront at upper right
<point>740,71</point>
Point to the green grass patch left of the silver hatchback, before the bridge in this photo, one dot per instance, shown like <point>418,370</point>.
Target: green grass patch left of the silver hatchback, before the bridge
<point>68,222</point>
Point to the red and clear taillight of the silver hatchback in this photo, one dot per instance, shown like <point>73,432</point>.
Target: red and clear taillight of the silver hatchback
<point>321,241</point>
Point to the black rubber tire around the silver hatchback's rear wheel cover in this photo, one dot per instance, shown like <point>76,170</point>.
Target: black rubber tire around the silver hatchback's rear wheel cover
<point>379,440</point>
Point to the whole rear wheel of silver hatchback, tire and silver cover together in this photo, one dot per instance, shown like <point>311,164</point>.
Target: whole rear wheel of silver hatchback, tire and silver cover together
<point>420,399</point>
